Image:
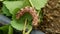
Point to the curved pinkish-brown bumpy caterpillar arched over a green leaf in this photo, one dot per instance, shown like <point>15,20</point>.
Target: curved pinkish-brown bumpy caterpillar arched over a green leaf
<point>30,10</point>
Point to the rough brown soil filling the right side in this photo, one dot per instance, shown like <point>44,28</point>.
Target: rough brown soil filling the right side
<point>51,20</point>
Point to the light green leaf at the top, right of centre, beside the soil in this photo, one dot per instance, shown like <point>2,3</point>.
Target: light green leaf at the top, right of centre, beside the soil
<point>38,4</point>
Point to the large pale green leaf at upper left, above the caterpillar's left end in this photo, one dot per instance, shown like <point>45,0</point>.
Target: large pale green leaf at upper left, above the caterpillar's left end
<point>12,5</point>
